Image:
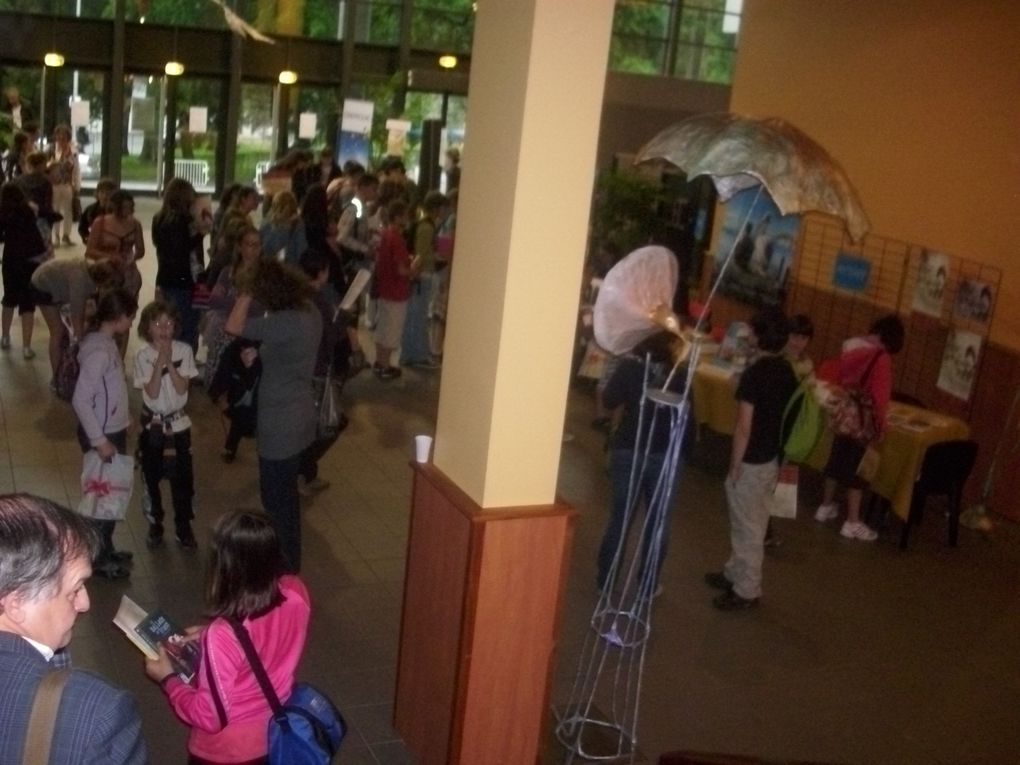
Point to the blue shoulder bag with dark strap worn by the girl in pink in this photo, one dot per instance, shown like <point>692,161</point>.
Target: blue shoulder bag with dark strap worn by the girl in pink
<point>307,730</point>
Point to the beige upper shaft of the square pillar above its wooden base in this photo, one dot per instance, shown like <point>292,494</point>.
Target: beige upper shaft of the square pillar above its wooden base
<point>538,75</point>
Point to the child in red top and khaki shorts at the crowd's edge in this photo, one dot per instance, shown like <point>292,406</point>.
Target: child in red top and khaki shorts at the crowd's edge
<point>394,272</point>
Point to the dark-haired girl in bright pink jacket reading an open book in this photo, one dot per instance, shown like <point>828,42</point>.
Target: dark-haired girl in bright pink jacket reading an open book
<point>225,706</point>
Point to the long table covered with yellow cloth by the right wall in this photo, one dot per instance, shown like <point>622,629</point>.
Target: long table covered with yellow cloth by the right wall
<point>911,431</point>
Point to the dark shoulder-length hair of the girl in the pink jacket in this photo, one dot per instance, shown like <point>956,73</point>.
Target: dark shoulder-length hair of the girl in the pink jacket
<point>245,566</point>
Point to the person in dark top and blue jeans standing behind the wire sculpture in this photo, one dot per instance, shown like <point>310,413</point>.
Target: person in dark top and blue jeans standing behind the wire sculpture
<point>624,392</point>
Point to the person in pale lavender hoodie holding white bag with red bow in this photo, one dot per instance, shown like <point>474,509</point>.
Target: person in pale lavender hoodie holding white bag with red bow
<point>101,405</point>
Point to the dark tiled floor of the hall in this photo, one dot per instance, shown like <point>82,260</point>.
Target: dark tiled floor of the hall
<point>859,653</point>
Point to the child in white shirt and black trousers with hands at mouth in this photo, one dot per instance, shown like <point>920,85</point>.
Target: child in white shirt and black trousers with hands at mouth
<point>164,369</point>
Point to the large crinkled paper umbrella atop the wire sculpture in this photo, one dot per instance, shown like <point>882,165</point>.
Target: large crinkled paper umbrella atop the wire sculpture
<point>740,152</point>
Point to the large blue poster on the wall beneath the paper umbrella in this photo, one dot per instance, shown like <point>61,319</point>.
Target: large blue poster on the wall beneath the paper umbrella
<point>762,243</point>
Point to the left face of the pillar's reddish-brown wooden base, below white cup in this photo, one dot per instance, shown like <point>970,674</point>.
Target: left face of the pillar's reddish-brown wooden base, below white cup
<point>430,647</point>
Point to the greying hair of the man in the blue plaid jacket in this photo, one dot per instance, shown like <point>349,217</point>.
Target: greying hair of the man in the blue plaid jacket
<point>37,539</point>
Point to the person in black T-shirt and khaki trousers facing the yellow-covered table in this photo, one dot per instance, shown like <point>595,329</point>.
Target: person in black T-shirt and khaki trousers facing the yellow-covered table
<point>764,390</point>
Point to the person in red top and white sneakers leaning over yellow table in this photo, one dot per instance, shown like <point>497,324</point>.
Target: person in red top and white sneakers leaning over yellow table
<point>865,363</point>
